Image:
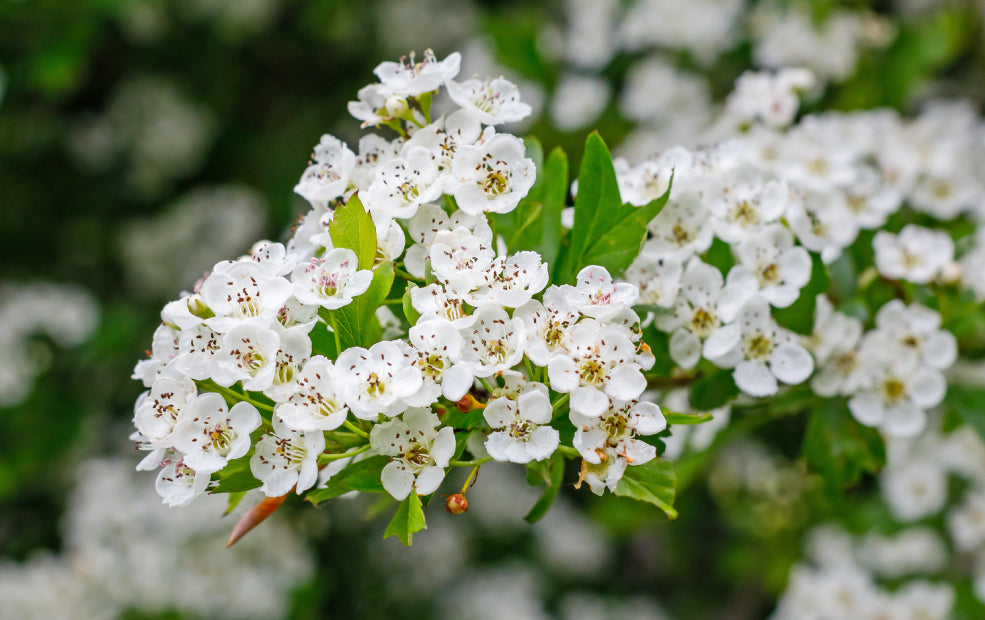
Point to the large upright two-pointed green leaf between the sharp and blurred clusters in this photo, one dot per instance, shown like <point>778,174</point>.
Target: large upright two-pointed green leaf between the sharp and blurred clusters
<point>607,232</point>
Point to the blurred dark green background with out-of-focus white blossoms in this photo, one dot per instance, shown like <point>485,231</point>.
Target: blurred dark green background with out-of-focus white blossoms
<point>141,141</point>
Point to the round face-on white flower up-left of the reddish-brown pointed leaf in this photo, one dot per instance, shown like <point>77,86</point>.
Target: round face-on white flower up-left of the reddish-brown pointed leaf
<point>210,434</point>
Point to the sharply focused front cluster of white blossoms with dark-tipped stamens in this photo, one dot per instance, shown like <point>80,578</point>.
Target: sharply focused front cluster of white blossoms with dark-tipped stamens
<point>243,374</point>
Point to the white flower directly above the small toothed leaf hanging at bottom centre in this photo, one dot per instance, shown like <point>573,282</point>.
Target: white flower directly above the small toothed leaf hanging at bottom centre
<point>419,453</point>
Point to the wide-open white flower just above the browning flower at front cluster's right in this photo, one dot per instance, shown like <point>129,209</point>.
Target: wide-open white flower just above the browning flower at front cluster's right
<point>600,362</point>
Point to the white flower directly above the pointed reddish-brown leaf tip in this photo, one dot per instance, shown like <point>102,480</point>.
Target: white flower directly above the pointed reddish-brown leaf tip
<point>287,458</point>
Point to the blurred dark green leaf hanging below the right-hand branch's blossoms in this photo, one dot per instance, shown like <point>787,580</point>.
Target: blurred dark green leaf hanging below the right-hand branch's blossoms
<point>839,448</point>
